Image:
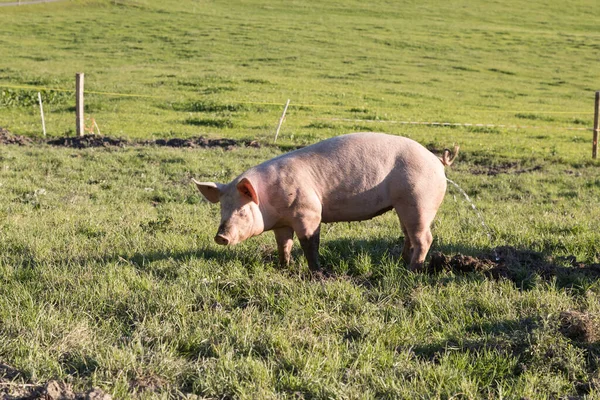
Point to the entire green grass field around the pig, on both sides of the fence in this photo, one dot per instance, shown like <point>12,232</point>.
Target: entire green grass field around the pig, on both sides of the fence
<point>108,273</point>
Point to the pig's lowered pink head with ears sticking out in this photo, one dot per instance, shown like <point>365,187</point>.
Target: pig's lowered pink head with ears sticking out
<point>241,217</point>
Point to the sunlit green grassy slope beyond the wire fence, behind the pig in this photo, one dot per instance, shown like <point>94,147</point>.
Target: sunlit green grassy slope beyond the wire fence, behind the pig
<point>500,63</point>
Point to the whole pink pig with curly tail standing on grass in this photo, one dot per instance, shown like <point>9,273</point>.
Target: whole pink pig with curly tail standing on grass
<point>352,177</point>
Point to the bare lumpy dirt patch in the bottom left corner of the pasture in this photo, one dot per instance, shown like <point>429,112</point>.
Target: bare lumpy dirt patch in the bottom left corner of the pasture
<point>52,390</point>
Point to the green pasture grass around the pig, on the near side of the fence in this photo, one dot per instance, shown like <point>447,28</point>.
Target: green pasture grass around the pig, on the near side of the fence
<point>111,278</point>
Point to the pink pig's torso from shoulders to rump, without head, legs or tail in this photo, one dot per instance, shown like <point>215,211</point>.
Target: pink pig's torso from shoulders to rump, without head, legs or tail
<point>358,176</point>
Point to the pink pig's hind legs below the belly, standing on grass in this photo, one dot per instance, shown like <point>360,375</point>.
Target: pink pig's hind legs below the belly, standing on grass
<point>416,224</point>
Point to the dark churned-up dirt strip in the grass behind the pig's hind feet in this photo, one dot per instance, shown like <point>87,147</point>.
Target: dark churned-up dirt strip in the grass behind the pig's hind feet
<point>509,262</point>
